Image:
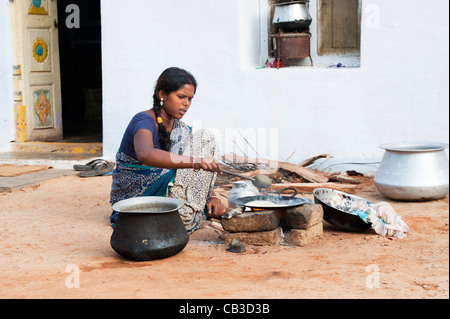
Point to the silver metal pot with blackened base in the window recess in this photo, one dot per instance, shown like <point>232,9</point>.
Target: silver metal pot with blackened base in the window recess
<point>290,16</point>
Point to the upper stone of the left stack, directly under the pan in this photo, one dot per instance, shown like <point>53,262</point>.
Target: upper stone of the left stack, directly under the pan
<point>252,222</point>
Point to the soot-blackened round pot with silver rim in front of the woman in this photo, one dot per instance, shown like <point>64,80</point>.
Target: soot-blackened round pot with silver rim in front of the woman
<point>148,228</point>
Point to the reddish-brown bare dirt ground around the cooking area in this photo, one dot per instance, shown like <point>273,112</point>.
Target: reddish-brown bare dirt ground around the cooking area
<point>54,243</point>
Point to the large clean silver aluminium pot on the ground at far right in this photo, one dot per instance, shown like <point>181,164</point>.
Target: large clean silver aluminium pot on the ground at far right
<point>413,171</point>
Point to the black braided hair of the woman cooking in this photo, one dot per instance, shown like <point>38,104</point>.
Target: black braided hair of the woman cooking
<point>171,80</point>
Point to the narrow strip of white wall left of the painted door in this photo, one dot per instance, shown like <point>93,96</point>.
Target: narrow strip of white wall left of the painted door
<point>6,80</point>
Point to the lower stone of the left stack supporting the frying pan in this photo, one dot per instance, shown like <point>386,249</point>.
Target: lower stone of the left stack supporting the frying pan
<point>262,238</point>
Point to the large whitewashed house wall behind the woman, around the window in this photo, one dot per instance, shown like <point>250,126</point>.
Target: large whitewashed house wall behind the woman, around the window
<point>400,92</point>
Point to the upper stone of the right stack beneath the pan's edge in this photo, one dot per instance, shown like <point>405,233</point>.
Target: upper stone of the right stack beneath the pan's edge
<point>303,217</point>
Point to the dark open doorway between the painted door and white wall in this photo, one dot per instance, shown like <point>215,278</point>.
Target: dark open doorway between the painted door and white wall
<point>81,70</point>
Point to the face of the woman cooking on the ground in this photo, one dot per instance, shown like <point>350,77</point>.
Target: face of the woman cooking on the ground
<point>177,103</point>
